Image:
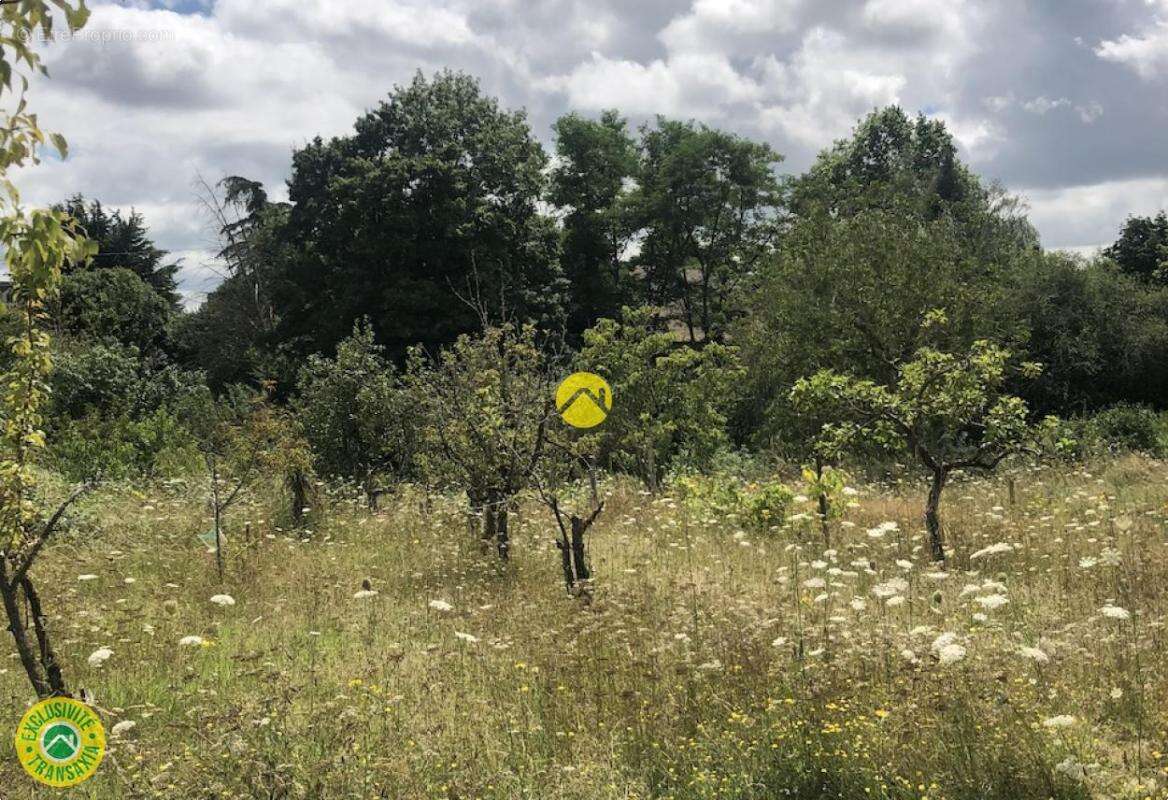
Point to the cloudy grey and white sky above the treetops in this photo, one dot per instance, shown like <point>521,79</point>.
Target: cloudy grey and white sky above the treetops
<point>1066,102</point>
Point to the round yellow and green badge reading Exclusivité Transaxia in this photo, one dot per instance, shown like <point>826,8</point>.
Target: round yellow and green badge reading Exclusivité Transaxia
<point>61,742</point>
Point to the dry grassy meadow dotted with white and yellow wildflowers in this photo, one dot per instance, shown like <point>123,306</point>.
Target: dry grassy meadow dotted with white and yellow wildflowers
<point>710,660</point>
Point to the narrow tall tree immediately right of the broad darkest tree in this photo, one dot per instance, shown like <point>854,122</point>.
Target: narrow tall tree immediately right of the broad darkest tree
<point>597,162</point>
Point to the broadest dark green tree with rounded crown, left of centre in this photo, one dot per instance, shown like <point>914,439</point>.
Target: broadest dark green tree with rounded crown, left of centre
<point>425,220</point>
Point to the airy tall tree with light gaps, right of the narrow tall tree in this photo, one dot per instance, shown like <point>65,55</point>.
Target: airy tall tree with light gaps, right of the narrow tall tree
<point>707,210</point>
